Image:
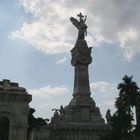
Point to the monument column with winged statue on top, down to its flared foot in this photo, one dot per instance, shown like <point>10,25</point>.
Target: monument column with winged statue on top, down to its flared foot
<point>81,58</point>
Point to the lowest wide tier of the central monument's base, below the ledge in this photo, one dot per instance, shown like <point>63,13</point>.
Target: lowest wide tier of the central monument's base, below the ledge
<point>77,131</point>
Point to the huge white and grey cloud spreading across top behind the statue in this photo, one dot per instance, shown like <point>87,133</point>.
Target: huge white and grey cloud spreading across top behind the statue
<point>108,21</point>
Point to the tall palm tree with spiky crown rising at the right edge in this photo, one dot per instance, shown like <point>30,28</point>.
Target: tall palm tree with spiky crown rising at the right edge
<point>129,89</point>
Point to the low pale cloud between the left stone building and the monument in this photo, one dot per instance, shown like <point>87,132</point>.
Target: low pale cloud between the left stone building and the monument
<point>46,98</point>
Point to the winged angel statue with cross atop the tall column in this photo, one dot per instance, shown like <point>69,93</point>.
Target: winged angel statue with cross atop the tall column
<point>80,25</point>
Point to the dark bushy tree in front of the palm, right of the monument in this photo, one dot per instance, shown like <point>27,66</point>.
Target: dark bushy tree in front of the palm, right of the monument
<point>122,118</point>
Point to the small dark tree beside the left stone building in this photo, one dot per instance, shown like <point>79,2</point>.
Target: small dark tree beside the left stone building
<point>34,123</point>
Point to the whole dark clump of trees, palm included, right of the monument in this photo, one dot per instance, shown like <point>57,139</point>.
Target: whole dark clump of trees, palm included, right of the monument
<point>121,121</point>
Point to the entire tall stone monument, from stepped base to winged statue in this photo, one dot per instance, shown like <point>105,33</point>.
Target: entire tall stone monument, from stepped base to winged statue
<point>81,119</point>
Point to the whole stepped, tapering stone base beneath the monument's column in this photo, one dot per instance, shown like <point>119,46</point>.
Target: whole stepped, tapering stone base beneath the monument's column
<point>81,119</point>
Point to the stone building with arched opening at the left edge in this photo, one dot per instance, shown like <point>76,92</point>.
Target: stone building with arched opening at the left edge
<point>14,111</point>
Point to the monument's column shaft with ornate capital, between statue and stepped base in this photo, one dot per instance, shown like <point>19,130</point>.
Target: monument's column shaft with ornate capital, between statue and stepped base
<point>81,58</point>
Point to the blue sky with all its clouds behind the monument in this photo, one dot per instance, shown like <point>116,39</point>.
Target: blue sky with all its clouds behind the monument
<point>36,38</point>
